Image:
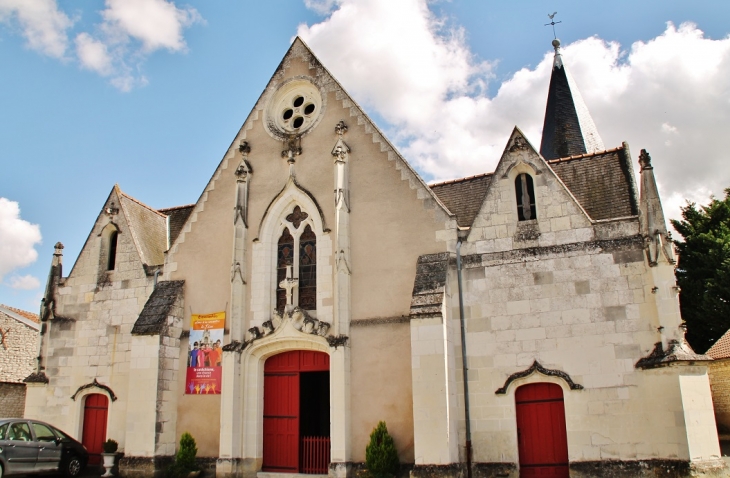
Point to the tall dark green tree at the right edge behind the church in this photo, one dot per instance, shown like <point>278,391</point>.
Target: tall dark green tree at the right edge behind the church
<point>703,270</point>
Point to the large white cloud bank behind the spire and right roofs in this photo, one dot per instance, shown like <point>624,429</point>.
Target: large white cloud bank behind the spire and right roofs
<point>667,95</point>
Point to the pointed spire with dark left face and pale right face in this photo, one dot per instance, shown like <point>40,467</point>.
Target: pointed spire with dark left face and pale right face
<point>568,129</point>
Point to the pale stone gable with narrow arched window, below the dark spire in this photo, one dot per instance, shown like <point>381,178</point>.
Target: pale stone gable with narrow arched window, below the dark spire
<point>557,219</point>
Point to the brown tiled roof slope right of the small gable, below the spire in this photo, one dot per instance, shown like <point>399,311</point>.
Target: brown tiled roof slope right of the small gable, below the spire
<point>602,182</point>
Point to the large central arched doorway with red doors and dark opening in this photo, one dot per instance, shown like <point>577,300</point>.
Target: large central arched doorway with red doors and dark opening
<point>296,413</point>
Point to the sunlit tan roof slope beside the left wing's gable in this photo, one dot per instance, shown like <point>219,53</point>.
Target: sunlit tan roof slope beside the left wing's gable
<point>149,229</point>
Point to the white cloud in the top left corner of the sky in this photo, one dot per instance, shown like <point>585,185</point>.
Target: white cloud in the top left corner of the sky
<point>43,25</point>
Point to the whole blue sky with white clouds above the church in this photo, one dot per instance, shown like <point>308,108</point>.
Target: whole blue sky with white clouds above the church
<point>149,94</point>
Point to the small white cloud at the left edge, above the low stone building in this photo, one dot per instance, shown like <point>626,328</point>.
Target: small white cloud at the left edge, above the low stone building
<point>17,238</point>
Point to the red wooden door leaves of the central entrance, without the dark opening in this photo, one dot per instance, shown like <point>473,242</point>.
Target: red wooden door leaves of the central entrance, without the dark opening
<point>282,404</point>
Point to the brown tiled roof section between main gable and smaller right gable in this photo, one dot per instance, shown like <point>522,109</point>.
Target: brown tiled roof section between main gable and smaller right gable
<point>464,196</point>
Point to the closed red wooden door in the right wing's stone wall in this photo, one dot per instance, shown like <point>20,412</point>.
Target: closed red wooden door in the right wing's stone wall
<point>542,438</point>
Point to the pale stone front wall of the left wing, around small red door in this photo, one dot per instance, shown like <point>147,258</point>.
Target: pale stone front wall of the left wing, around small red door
<point>96,342</point>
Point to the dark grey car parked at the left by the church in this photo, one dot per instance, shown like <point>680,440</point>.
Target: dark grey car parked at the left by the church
<point>31,446</point>
